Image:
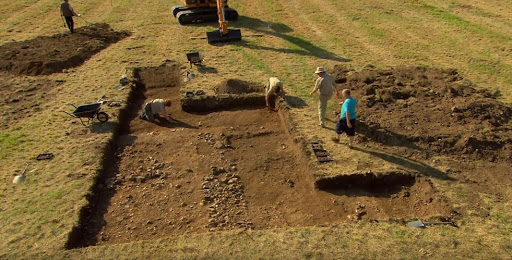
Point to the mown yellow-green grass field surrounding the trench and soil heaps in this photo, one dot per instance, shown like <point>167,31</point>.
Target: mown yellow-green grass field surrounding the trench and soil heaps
<point>473,36</point>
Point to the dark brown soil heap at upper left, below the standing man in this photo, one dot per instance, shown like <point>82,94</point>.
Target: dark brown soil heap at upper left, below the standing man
<point>51,54</point>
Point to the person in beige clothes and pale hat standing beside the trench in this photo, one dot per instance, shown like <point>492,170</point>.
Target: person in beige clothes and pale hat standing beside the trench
<point>326,85</point>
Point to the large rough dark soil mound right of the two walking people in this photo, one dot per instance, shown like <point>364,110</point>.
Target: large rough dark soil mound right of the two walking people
<point>431,109</point>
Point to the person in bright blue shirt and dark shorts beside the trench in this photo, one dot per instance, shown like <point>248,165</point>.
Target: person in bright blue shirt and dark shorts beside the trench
<point>347,122</point>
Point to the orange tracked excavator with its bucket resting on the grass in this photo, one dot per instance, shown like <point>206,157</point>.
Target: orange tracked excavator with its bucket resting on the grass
<point>198,11</point>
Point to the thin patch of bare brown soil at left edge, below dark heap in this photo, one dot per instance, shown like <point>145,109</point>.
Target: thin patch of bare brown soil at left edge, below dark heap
<point>22,97</point>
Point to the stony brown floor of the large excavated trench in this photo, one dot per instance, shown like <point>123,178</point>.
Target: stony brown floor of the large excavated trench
<point>195,173</point>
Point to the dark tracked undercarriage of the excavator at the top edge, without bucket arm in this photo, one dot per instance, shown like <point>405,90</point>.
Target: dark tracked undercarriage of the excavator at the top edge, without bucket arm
<point>203,11</point>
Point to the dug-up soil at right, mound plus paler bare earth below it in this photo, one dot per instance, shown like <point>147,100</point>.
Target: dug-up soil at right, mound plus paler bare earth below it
<point>439,118</point>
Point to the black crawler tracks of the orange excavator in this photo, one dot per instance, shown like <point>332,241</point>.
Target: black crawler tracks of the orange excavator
<point>201,15</point>
